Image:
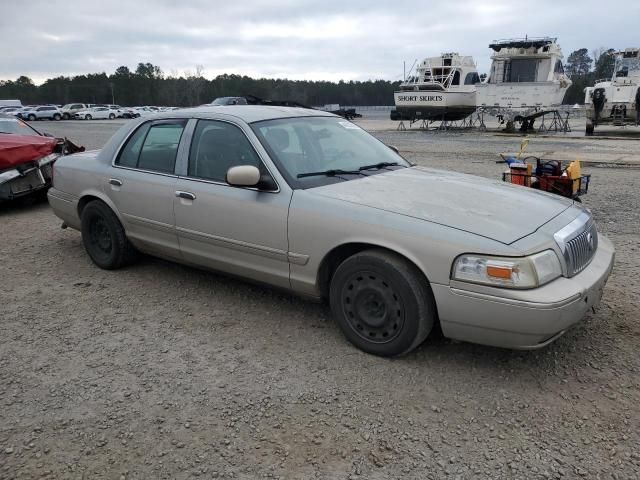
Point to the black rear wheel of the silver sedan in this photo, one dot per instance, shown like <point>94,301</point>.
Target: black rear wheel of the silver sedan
<point>104,237</point>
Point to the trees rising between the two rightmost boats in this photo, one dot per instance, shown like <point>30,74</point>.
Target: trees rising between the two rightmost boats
<point>585,69</point>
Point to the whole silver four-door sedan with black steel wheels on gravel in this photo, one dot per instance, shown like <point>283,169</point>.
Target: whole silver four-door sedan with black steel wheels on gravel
<point>309,202</point>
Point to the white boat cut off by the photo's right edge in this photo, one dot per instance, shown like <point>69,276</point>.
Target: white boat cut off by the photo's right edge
<point>615,100</point>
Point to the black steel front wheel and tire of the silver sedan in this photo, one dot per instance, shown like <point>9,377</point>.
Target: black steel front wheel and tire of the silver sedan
<point>382,303</point>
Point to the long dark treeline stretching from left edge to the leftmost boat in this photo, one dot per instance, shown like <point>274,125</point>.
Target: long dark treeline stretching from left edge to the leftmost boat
<point>148,85</point>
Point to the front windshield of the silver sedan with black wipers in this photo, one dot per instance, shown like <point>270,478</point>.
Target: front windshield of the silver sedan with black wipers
<point>314,151</point>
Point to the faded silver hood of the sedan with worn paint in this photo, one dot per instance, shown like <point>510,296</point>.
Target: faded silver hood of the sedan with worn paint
<point>489,208</point>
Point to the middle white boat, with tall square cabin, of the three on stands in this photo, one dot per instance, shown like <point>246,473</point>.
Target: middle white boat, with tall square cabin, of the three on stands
<point>526,74</point>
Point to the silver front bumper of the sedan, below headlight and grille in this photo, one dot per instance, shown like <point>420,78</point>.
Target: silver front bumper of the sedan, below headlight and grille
<point>532,320</point>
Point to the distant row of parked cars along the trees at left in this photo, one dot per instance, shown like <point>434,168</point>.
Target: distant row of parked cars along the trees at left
<point>80,111</point>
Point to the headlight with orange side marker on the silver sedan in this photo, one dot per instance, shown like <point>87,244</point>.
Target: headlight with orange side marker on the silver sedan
<point>508,272</point>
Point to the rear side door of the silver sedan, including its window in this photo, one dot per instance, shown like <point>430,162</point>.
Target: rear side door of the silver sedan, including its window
<point>142,185</point>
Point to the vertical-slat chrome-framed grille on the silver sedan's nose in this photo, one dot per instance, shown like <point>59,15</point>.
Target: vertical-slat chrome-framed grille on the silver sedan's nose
<point>578,243</point>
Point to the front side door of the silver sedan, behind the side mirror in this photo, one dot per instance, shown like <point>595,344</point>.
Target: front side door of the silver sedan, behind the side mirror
<point>238,230</point>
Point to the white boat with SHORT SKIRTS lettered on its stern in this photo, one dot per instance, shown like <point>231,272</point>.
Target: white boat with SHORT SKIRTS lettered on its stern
<point>442,88</point>
